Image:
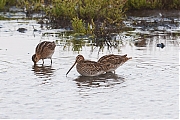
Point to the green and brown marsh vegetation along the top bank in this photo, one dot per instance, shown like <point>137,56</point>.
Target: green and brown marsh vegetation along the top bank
<point>96,18</point>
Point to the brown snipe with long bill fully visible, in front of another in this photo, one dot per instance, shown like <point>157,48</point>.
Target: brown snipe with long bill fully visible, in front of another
<point>87,68</point>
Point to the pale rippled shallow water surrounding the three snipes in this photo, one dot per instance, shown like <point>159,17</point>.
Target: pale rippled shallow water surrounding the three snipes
<point>144,87</point>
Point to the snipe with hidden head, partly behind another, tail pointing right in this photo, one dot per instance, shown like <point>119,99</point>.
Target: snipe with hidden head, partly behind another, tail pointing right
<point>113,61</point>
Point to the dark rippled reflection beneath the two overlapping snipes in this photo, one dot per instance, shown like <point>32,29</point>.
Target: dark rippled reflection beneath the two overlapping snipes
<point>104,80</point>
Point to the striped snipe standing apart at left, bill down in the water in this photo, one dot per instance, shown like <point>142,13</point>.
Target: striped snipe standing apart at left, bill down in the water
<point>44,50</point>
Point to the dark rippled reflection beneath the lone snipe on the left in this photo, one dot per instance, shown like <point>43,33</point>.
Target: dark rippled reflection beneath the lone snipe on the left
<point>43,71</point>
